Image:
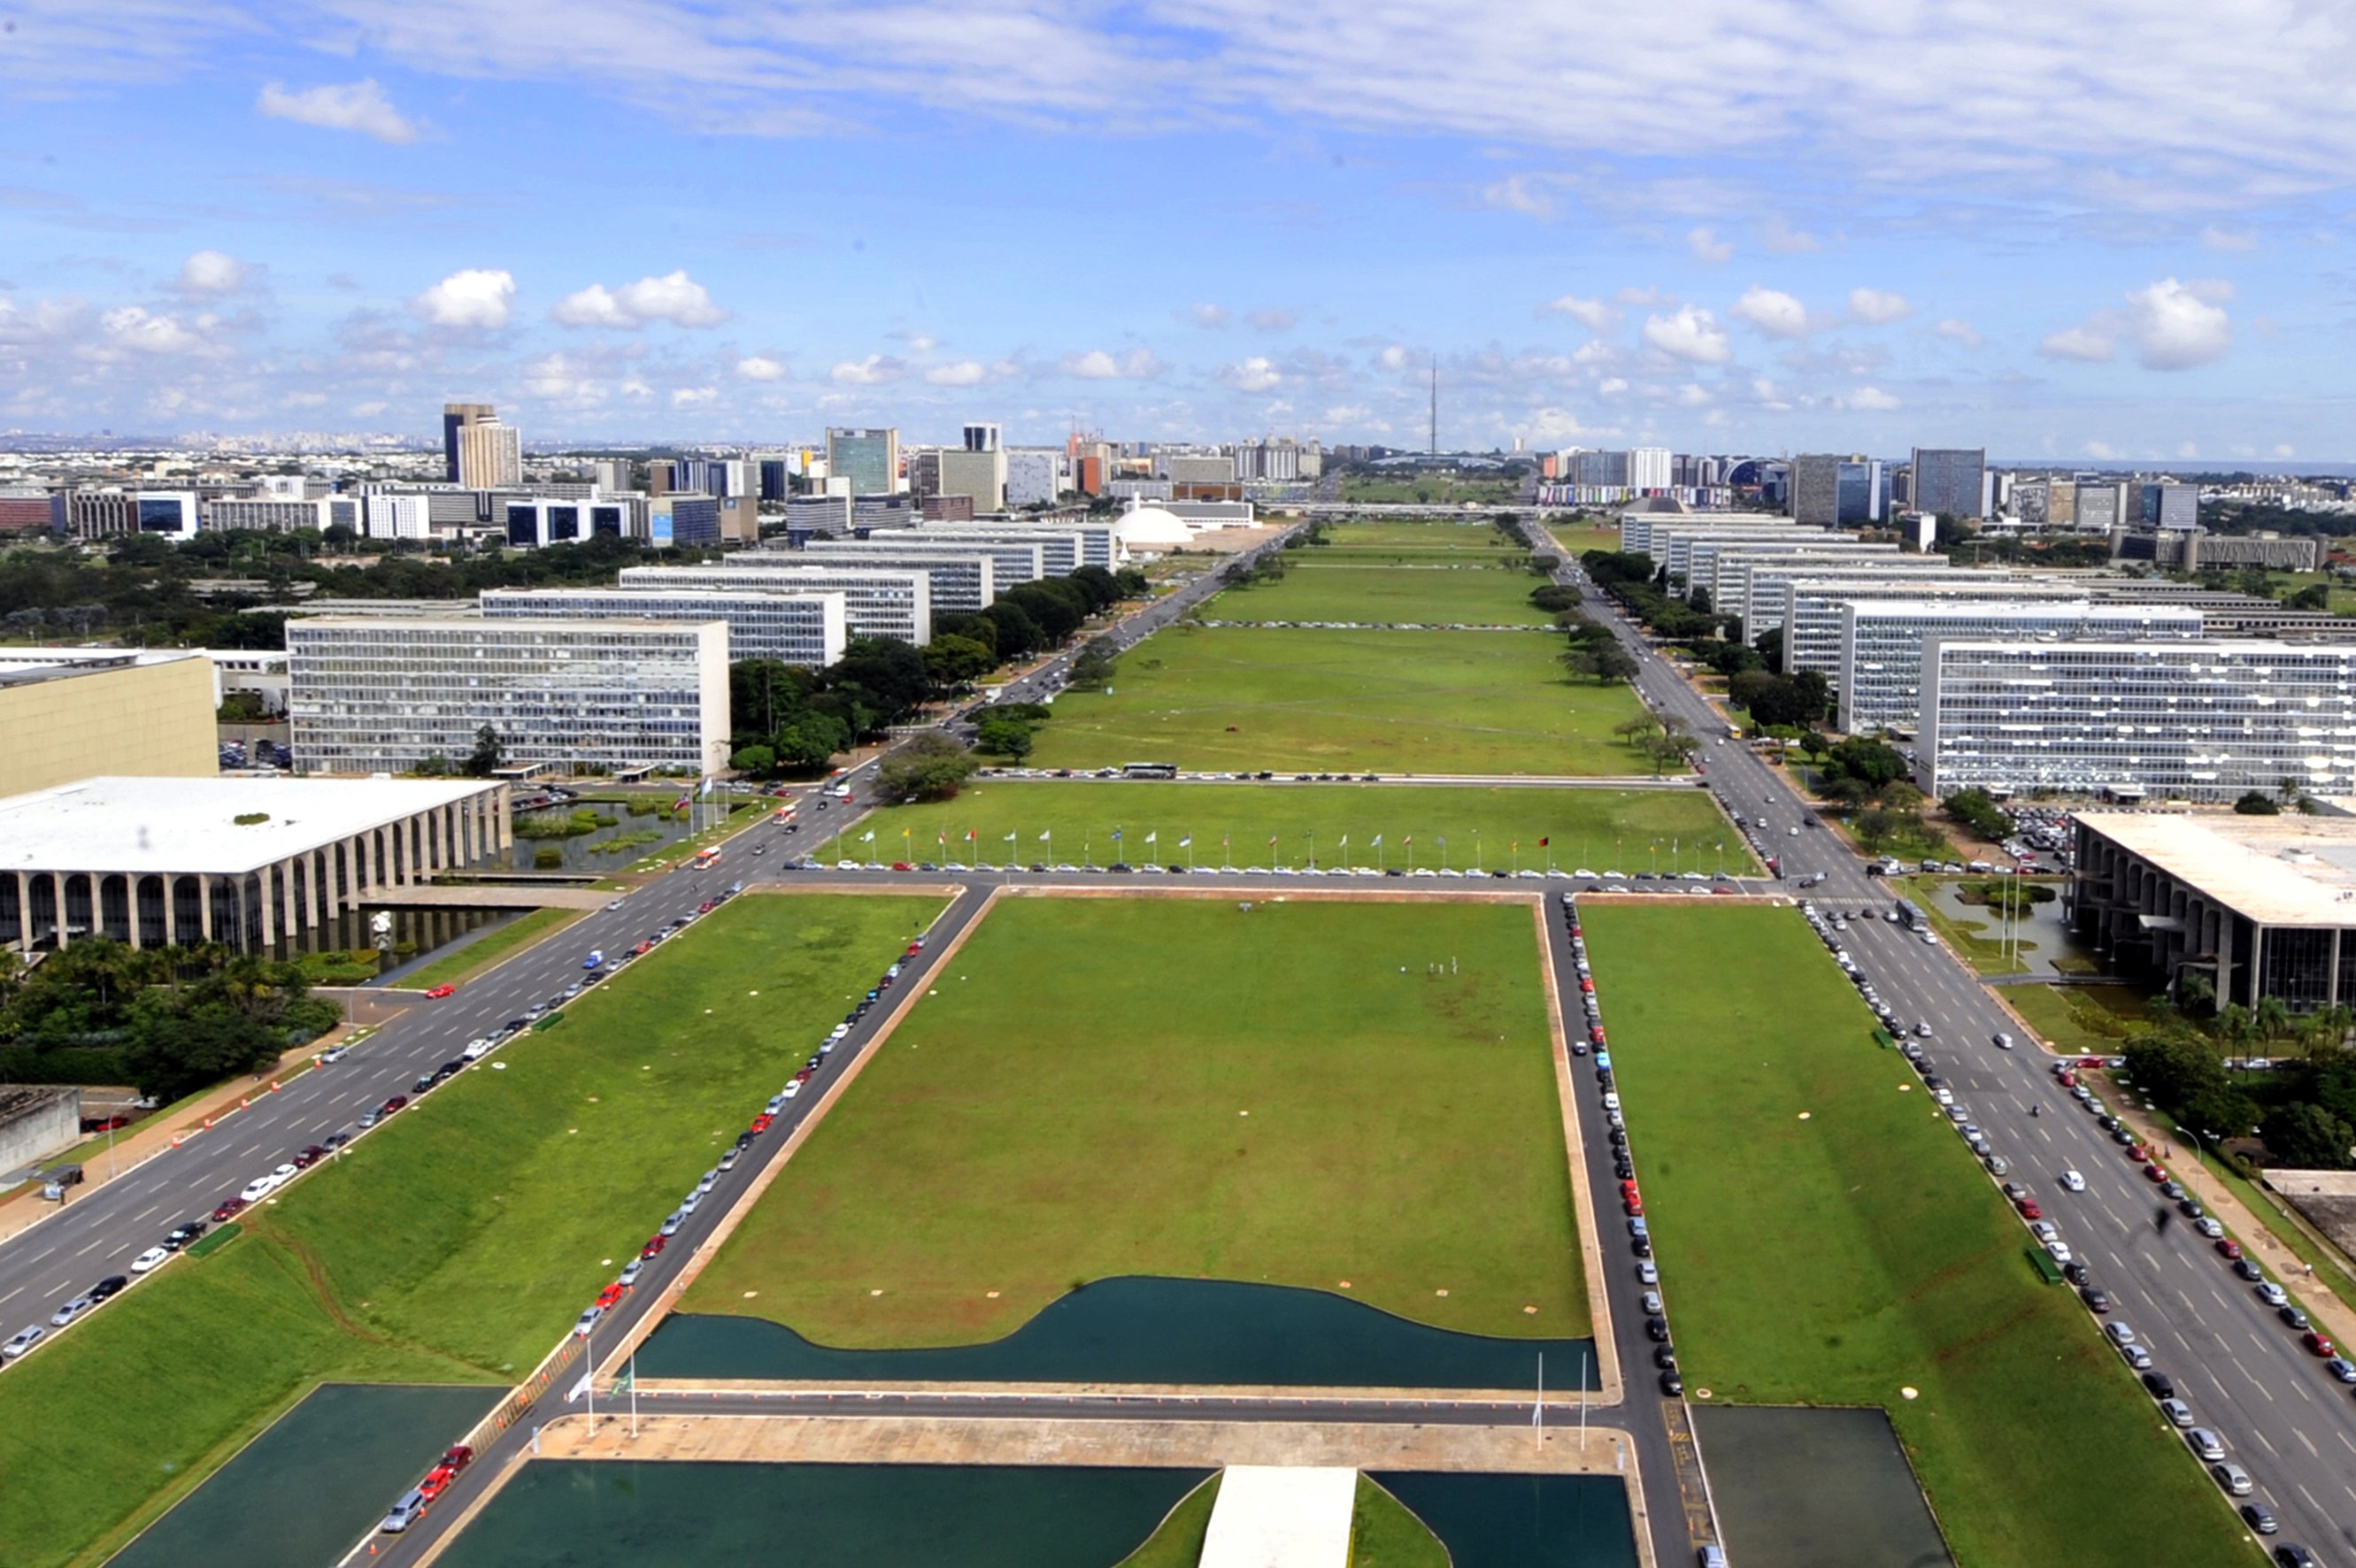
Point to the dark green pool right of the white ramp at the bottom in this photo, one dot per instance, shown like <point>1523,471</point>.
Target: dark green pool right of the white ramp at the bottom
<point>1521,1522</point>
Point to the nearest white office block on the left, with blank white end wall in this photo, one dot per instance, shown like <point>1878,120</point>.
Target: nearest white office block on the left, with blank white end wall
<point>600,696</point>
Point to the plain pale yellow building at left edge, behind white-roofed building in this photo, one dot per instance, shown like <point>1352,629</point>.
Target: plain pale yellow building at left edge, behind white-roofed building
<point>79,712</point>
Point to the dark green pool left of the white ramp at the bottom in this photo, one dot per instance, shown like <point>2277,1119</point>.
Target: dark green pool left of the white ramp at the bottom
<point>668,1515</point>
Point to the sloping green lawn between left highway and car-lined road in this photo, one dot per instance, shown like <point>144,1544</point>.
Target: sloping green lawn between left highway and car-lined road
<point>456,1244</point>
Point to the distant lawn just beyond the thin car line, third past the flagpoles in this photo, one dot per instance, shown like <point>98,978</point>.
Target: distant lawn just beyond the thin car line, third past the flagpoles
<point>1370,590</point>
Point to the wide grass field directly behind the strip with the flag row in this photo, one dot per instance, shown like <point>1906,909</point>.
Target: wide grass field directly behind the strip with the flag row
<point>1363,700</point>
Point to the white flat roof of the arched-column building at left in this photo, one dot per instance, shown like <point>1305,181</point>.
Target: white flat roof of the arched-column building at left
<point>192,825</point>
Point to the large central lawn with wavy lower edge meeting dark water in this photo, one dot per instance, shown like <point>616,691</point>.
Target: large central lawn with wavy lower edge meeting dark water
<point>1172,1087</point>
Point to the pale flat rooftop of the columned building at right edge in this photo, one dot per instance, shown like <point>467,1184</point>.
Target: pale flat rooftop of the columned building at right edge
<point>2272,870</point>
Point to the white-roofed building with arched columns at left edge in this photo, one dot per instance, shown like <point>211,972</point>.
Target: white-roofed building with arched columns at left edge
<point>251,863</point>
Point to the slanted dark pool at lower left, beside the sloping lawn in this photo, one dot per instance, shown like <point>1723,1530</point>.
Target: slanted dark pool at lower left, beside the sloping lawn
<point>315,1482</point>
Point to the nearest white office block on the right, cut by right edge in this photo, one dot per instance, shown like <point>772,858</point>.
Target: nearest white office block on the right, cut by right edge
<point>2131,719</point>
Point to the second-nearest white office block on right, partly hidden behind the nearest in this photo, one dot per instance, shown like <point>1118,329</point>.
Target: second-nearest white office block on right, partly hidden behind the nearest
<point>1881,644</point>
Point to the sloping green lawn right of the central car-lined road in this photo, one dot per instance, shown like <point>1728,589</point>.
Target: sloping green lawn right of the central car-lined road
<point>1860,1251</point>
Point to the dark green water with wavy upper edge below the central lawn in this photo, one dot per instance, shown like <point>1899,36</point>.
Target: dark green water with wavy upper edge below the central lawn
<point>1146,1331</point>
